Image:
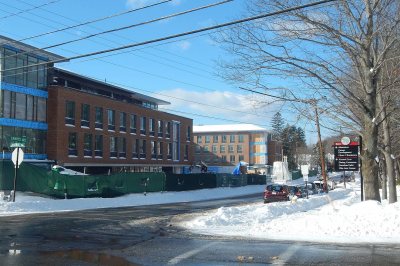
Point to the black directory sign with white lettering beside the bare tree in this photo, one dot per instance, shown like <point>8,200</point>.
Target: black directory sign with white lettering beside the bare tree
<point>346,156</point>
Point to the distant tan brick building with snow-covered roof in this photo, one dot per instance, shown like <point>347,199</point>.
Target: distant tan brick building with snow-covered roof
<point>227,145</point>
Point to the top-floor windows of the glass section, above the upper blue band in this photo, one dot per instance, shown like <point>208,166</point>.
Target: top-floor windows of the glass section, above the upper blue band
<point>16,70</point>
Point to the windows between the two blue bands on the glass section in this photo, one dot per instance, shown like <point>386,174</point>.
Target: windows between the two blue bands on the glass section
<point>22,106</point>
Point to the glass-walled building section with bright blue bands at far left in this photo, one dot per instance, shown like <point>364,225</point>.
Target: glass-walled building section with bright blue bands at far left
<point>23,97</point>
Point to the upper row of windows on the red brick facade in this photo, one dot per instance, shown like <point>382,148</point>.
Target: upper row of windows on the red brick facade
<point>162,128</point>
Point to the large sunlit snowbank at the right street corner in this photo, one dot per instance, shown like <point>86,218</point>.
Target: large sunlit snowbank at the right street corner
<point>338,217</point>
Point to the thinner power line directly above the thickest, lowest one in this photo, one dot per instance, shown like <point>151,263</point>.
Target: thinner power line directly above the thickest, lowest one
<point>129,26</point>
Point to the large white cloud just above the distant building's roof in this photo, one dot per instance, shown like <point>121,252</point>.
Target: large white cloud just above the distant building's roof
<point>219,104</point>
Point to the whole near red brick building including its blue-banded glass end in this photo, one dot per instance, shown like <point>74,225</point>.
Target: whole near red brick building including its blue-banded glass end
<point>85,124</point>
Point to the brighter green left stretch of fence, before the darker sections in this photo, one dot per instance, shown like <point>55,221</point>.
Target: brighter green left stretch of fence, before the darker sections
<point>37,179</point>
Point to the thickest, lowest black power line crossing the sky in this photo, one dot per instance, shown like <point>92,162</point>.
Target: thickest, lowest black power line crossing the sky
<point>174,36</point>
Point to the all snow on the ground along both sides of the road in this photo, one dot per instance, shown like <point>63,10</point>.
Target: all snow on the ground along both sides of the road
<point>339,216</point>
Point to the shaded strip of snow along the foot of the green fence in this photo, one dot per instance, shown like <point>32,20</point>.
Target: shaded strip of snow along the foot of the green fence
<point>28,203</point>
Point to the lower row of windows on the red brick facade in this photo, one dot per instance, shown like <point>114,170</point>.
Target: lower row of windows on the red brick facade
<point>93,147</point>
